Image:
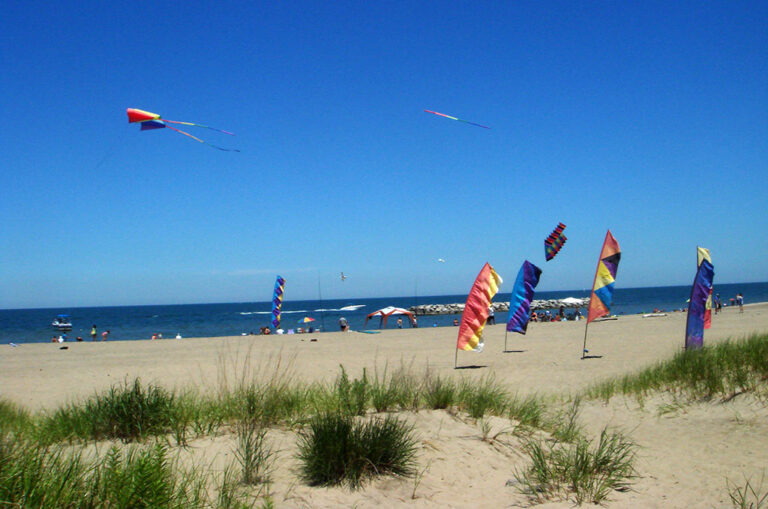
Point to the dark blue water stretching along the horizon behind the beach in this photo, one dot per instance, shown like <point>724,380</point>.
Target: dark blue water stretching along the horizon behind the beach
<point>211,320</point>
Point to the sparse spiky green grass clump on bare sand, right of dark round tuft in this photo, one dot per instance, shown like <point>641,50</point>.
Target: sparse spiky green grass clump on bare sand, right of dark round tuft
<point>578,471</point>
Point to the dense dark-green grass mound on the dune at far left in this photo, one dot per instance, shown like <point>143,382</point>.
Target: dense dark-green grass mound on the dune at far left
<point>127,412</point>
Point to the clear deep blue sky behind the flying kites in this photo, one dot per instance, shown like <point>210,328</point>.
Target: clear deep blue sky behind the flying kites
<point>648,118</point>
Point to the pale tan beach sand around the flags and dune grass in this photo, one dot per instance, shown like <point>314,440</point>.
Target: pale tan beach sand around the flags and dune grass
<point>685,455</point>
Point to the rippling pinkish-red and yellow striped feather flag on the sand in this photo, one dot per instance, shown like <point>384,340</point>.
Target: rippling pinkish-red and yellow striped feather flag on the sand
<point>476,310</point>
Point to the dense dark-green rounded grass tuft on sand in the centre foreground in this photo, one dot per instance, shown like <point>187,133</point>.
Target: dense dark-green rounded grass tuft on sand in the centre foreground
<point>337,449</point>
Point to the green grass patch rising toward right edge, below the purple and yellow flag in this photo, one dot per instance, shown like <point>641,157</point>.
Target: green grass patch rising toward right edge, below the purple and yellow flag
<point>722,370</point>
